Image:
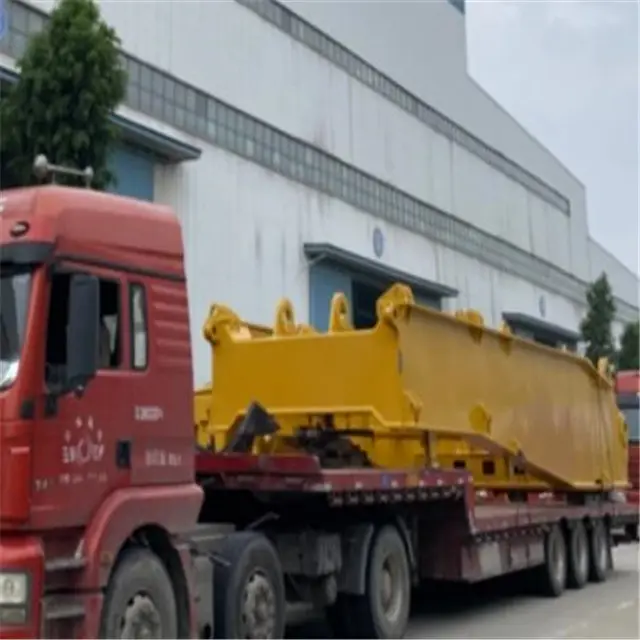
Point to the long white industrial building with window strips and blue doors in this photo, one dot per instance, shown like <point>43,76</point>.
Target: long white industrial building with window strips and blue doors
<point>305,157</point>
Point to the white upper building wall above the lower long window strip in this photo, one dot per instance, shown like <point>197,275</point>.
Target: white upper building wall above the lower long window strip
<point>227,50</point>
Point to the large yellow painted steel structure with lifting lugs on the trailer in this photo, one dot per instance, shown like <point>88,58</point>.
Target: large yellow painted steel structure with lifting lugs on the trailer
<point>431,388</point>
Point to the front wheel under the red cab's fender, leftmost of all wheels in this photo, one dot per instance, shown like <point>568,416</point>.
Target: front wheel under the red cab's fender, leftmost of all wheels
<point>139,594</point>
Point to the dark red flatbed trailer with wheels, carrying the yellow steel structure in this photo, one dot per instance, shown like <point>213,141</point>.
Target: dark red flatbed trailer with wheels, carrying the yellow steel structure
<point>325,524</point>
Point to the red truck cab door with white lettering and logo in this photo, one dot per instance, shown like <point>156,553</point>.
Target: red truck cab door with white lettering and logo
<point>75,452</point>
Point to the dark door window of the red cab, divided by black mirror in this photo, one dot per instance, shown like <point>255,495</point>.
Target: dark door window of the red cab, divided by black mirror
<point>56,354</point>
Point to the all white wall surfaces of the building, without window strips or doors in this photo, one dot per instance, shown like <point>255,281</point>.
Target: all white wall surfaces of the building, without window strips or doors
<point>245,226</point>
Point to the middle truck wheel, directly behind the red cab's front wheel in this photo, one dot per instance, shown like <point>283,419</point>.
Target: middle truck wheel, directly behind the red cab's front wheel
<point>249,594</point>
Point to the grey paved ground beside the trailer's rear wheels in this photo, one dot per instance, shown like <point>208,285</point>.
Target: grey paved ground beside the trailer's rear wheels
<point>496,610</point>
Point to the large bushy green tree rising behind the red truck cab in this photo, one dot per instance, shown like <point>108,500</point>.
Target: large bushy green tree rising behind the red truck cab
<point>71,80</point>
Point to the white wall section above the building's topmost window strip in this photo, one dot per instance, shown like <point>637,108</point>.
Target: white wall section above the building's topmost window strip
<point>447,86</point>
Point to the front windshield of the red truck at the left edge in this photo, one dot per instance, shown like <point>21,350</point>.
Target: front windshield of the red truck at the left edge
<point>15,286</point>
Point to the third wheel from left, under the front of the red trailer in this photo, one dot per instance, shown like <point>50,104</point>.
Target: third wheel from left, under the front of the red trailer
<point>370,615</point>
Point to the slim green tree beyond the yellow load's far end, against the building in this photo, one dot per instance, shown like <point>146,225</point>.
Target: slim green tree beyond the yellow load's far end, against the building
<point>596,325</point>
